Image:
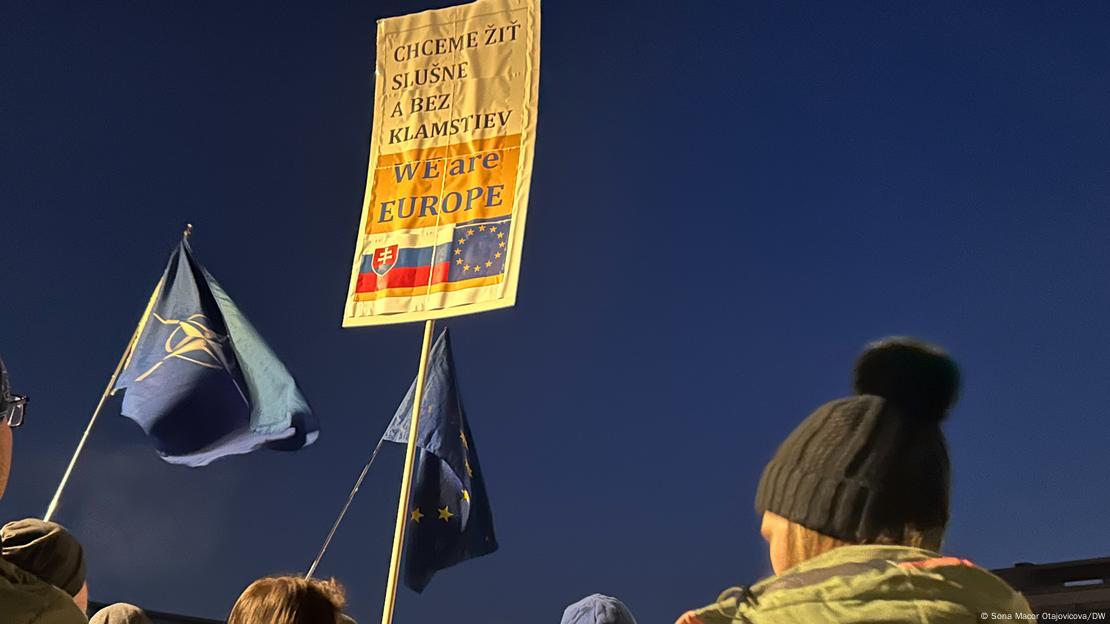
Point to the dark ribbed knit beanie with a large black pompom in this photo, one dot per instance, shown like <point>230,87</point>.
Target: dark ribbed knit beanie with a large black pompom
<point>874,465</point>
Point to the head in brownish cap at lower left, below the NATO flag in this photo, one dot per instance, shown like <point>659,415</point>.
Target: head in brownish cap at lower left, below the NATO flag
<point>49,552</point>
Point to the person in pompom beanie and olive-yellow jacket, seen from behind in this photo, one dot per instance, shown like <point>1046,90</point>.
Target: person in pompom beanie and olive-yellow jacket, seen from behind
<point>855,507</point>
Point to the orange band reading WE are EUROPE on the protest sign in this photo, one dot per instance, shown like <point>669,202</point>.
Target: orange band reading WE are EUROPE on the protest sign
<point>442,186</point>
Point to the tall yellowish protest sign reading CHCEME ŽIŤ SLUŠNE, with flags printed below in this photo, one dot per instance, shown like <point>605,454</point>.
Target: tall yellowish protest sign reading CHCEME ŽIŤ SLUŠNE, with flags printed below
<point>443,218</point>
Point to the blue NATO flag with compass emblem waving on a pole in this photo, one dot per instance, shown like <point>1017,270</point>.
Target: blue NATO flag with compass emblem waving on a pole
<point>201,381</point>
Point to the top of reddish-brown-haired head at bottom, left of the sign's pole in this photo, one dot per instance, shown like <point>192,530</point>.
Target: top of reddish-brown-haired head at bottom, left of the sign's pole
<point>289,600</point>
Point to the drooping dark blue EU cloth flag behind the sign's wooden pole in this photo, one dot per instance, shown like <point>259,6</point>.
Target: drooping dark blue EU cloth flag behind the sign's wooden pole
<point>449,517</point>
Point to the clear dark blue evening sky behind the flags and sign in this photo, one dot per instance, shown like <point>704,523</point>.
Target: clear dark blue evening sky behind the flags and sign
<point>730,199</point>
